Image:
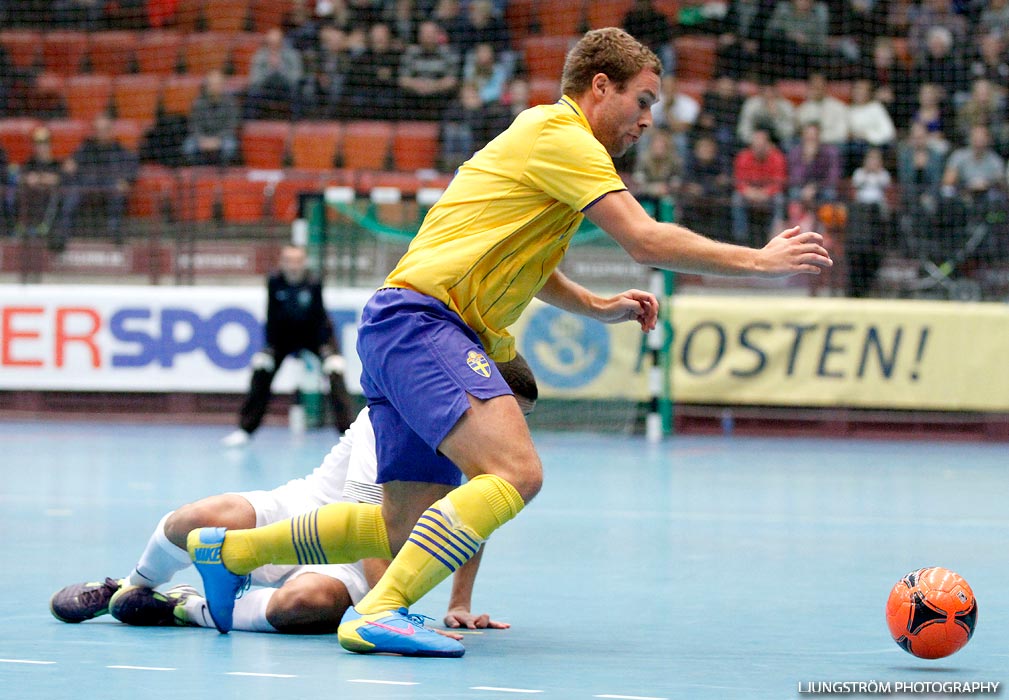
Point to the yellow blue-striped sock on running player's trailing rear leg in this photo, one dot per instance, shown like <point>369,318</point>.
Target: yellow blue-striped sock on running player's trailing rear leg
<point>334,534</point>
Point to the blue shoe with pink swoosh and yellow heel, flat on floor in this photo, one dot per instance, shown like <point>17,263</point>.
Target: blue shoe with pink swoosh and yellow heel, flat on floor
<point>394,632</point>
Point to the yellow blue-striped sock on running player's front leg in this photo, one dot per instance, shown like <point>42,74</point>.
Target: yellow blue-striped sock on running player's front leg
<point>445,537</point>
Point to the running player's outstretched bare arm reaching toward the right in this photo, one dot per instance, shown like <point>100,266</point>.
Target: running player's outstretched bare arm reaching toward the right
<point>671,247</point>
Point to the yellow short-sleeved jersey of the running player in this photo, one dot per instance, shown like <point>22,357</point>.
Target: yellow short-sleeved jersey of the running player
<point>506,220</point>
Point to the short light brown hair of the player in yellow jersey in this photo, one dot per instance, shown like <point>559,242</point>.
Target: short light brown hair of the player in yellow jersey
<point>610,51</point>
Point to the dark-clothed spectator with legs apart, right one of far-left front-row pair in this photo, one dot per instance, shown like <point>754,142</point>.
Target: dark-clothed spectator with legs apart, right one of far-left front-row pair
<point>100,170</point>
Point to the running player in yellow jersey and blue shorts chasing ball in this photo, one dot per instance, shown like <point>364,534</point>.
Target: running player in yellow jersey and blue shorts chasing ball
<point>438,406</point>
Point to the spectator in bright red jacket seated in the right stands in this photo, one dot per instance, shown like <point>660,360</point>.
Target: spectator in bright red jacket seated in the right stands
<point>759,177</point>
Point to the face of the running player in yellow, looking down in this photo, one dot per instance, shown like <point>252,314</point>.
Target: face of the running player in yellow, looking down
<point>625,115</point>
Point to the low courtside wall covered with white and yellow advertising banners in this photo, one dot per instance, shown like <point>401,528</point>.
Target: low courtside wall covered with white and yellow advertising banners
<point>774,364</point>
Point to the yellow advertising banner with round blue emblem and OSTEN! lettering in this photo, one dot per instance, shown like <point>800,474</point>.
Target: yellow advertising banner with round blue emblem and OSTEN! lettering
<point>788,352</point>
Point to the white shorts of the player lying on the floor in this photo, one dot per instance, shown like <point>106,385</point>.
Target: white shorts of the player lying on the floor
<point>295,499</point>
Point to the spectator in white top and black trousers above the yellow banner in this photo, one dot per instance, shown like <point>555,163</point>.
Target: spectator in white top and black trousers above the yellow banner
<point>868,223</point>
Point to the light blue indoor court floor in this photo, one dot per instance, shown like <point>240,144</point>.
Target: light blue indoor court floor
<point>703,568</point>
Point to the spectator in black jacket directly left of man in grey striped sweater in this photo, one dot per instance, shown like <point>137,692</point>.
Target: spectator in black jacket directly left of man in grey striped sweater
<point>373,84</point>
